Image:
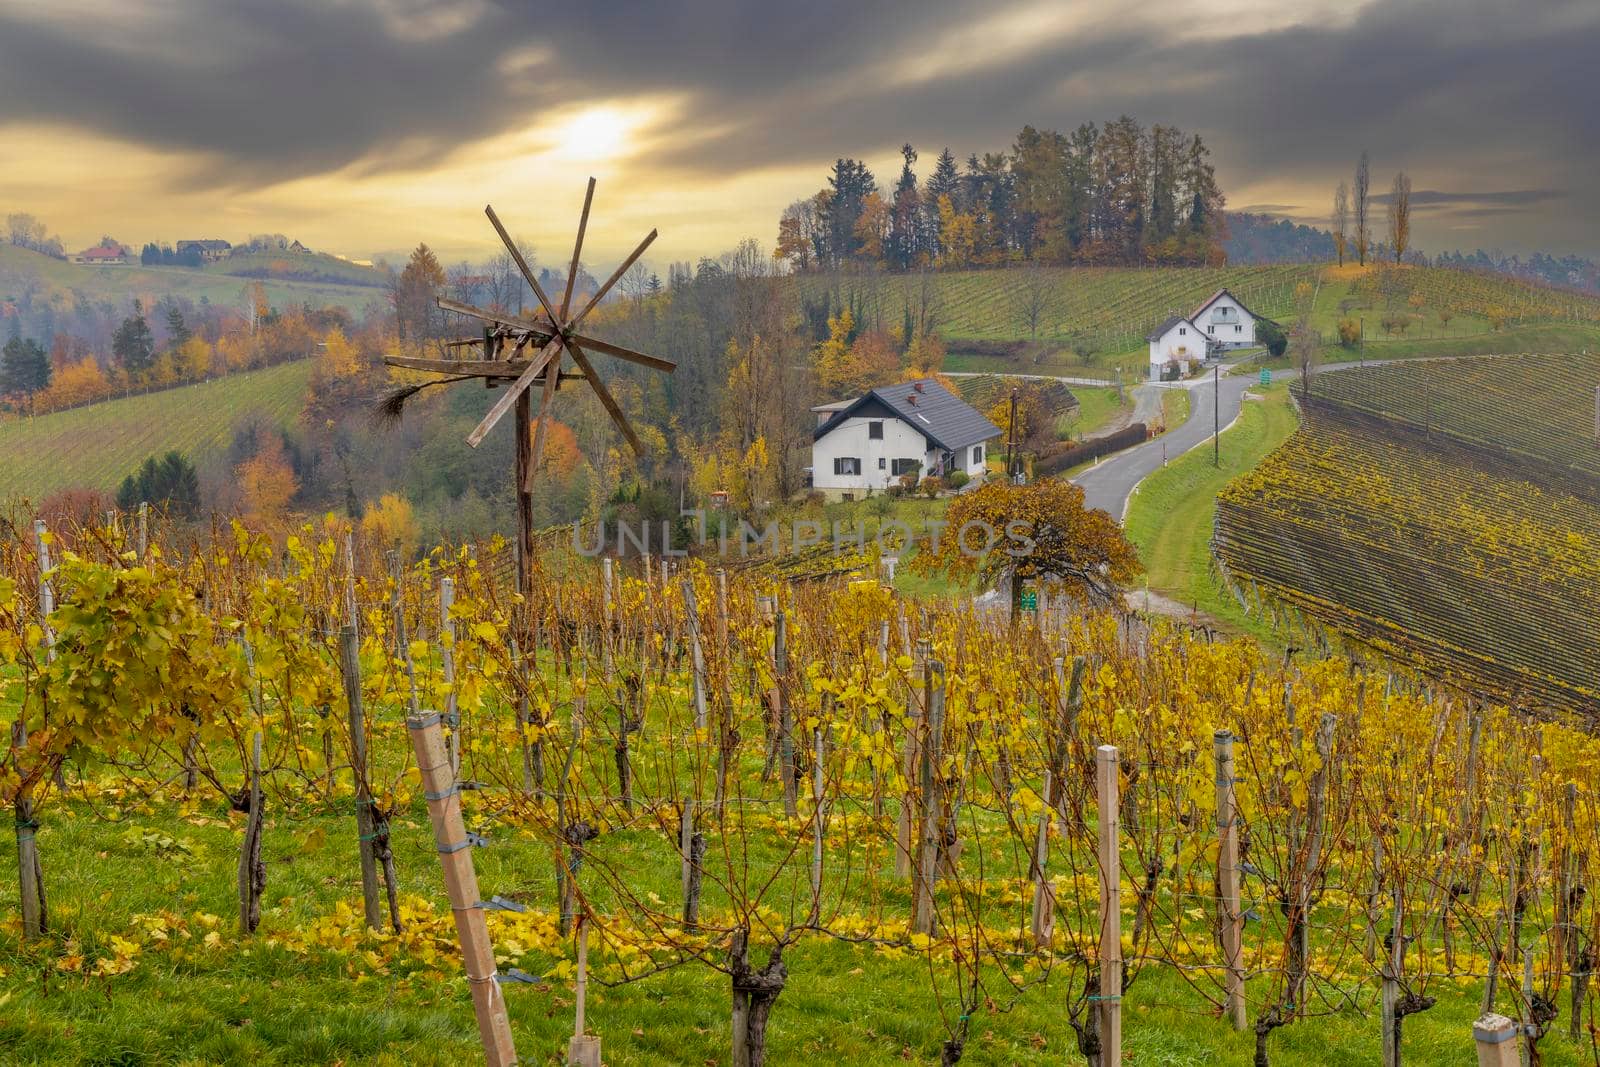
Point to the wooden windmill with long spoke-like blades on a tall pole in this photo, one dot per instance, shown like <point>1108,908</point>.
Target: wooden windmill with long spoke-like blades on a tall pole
<point>502,354</point>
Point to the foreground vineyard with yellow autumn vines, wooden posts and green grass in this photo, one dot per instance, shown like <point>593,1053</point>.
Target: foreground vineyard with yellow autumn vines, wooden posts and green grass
<point>716,809</point>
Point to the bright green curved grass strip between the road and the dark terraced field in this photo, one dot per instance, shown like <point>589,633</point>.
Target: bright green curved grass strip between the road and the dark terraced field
<point>1172,511</point>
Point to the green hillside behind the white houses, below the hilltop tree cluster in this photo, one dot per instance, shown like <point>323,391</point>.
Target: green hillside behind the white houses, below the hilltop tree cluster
<point>1098,318</point>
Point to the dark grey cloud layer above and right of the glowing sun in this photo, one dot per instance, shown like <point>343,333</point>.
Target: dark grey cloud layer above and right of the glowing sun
<point>1495,95</point>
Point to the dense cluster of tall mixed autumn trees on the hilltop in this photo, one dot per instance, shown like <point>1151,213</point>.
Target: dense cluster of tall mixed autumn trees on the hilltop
<point>1113,194</point>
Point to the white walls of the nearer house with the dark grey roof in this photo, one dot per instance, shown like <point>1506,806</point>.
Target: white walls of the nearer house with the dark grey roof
<point>852,458</point>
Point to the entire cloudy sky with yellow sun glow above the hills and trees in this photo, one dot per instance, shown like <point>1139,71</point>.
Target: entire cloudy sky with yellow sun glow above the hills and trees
<point>369,126</point>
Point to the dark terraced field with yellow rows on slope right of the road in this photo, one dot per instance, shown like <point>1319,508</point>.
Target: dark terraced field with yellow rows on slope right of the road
<point>1444,514</point>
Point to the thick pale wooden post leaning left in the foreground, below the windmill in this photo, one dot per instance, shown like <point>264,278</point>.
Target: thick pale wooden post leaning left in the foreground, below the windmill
<point>462,884</point>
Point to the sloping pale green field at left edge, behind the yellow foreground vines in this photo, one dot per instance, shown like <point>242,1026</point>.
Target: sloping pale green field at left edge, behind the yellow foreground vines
<point>97,447</point>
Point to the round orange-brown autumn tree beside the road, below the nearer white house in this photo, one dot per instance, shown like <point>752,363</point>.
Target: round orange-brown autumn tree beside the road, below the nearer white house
<point>1038,532</point>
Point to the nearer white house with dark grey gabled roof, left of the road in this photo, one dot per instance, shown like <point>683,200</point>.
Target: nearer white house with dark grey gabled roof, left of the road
<point>913,428</point>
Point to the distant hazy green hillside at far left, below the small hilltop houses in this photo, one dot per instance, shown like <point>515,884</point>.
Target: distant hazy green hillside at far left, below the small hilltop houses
<point>42,279</point>
